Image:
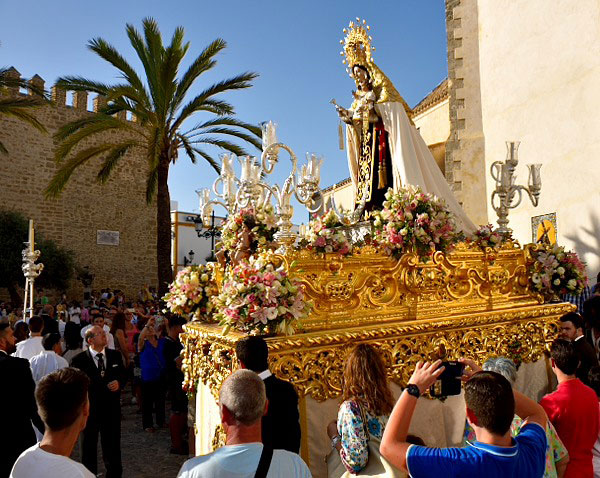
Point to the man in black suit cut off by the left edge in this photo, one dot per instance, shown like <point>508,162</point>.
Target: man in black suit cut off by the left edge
<point>17,402</point>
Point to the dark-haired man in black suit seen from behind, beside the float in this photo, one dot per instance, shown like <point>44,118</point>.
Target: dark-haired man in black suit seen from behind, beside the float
<point>281,424</point>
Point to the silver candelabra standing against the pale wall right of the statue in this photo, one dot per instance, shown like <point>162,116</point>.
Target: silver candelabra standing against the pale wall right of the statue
<point>507,194</point>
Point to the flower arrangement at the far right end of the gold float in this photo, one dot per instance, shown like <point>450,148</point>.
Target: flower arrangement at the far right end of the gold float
<point>555,272</point>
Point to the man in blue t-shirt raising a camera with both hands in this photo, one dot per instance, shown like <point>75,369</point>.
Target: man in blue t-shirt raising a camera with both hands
<point>491,406</point>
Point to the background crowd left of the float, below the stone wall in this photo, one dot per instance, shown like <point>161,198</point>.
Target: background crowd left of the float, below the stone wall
<point>129,351</point>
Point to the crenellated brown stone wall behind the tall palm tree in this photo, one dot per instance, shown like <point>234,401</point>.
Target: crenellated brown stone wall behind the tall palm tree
<point>85,206</point>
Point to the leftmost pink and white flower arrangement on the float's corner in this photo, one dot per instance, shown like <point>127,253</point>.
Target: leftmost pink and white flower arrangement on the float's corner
<point>191,293</point>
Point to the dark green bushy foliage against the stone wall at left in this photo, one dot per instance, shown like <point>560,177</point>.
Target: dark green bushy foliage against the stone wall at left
<point>59,264</point>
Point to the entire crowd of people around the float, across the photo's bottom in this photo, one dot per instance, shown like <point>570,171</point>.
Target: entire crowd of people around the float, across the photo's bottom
<point>505,433</point>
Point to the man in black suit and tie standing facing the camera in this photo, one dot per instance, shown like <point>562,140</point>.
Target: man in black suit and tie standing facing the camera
<point>107,375</point>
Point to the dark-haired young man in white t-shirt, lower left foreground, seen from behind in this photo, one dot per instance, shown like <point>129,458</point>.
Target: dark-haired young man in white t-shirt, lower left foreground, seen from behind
<point>64,407</point>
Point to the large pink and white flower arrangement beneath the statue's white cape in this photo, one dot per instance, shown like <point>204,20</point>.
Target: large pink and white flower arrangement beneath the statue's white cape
<point>414,220</point>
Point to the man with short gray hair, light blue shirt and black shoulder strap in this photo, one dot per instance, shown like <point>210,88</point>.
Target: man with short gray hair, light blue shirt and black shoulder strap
<point>243,402</point>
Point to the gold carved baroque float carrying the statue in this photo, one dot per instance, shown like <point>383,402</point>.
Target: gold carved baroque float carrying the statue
<point>469,302</point>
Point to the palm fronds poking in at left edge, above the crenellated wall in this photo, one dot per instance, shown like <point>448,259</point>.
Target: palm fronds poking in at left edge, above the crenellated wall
<point>19,106</point>
